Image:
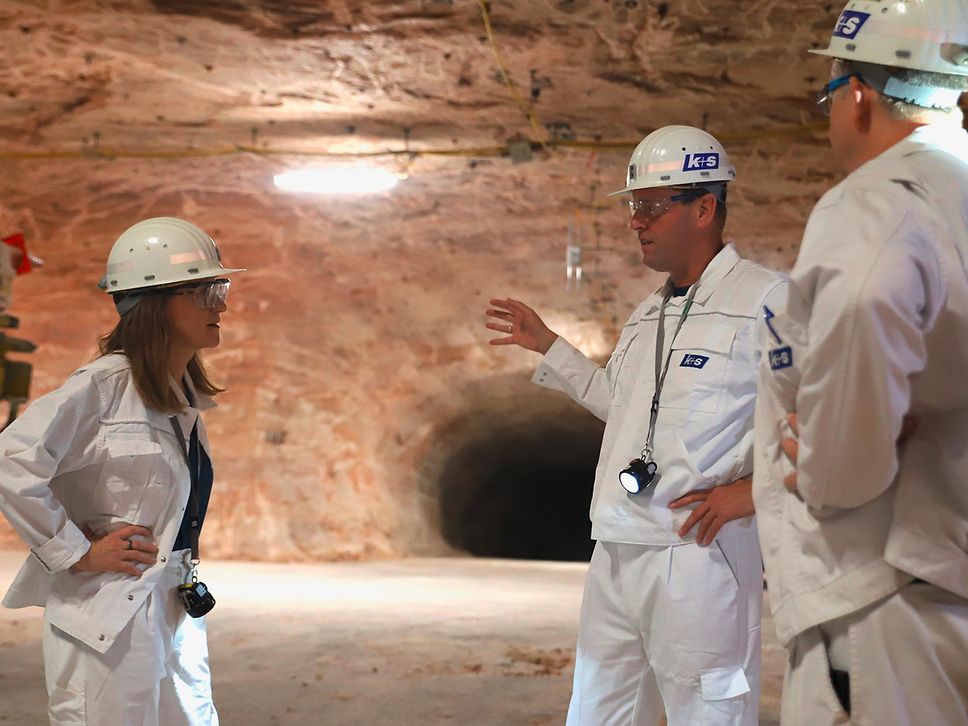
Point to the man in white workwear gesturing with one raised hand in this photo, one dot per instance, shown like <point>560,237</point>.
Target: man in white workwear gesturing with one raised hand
<point>670,619</point>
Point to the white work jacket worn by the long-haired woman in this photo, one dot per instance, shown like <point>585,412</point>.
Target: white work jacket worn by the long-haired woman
<point>91,454</point>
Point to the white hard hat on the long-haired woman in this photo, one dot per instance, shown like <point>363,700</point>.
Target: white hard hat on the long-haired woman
<point>161,251</point>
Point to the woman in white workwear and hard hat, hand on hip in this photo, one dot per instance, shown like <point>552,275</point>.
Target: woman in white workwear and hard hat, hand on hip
<point>102,477</point>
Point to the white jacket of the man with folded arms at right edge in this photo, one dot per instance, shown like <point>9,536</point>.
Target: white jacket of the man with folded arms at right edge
<point>876,328</point>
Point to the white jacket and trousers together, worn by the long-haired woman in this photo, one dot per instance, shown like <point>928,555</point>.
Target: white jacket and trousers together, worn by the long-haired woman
<point>117,649</point>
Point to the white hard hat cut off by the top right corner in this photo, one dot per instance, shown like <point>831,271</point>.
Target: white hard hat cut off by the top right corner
<point>923,35</point>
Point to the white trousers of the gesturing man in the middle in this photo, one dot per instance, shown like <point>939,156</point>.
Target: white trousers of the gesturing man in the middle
<point>678,626</point>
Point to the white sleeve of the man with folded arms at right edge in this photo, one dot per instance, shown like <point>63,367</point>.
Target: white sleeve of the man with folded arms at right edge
<point>875,286</point>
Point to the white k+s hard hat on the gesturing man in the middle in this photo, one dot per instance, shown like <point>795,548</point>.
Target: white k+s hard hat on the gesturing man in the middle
<point>677,156</point>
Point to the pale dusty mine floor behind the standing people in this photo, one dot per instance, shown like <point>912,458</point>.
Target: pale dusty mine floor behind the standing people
<point>421,641</point>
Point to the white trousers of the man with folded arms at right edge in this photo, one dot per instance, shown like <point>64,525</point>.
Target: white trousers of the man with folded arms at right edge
<point>908,665</point>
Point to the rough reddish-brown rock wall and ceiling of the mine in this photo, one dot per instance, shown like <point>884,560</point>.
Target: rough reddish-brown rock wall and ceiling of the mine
<point>354,352</point>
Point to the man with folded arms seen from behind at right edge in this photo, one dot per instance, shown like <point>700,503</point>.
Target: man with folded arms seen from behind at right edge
<point>866,541</point>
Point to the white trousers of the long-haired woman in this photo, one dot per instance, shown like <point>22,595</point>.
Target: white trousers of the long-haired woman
<point>155,674</point>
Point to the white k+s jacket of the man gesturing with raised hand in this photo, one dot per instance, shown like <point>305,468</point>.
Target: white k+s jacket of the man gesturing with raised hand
<point>704,431</point>
